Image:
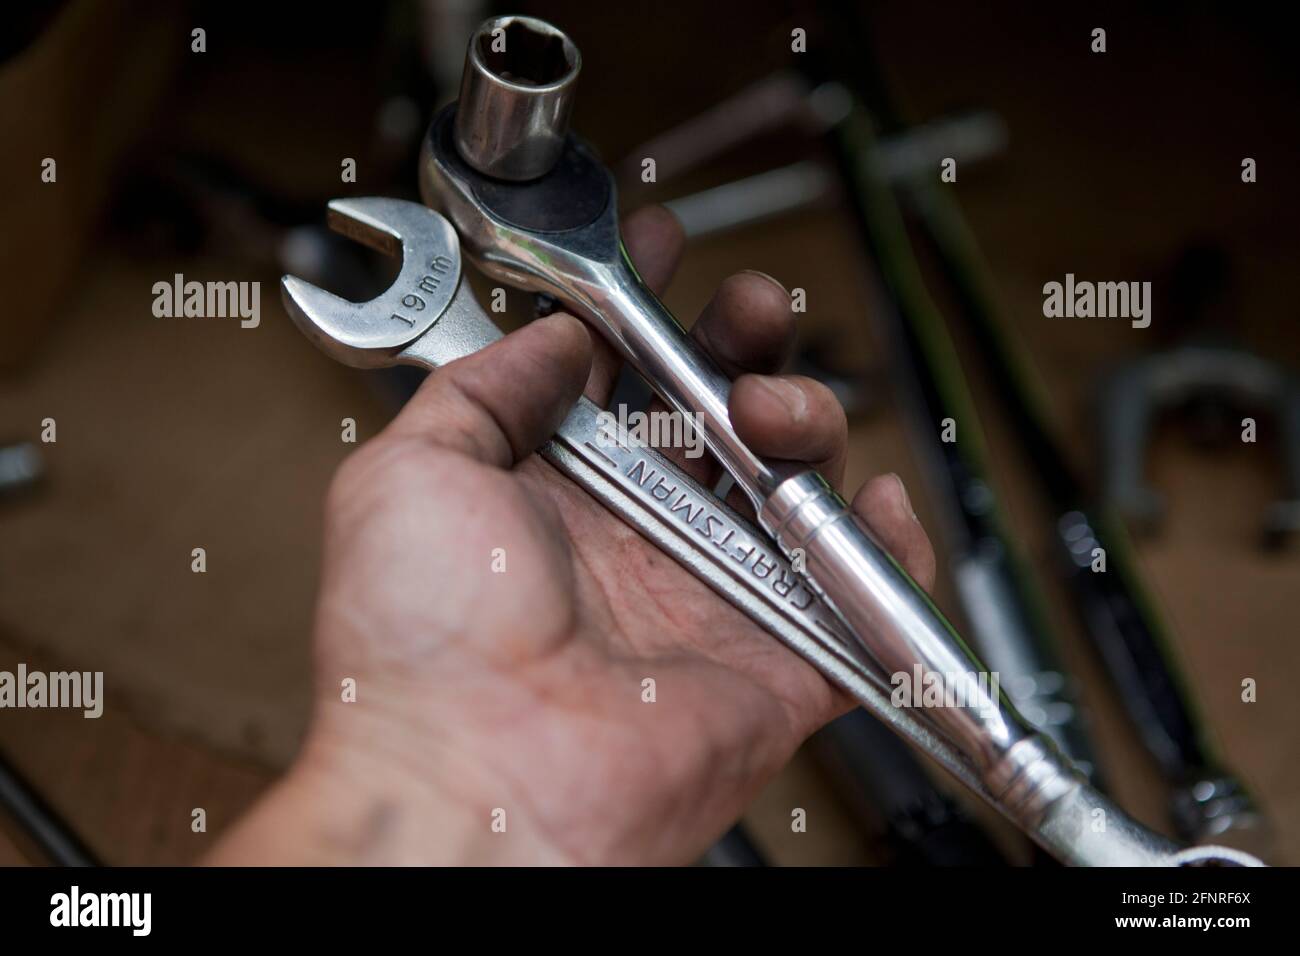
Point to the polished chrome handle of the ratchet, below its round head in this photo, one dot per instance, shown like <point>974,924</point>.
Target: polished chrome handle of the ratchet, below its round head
<point>889,613</point>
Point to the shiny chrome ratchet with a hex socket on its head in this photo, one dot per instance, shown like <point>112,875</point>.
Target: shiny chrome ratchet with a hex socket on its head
<point>536,210</point>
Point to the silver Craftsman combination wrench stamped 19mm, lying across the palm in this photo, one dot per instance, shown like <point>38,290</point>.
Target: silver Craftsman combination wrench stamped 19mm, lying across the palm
<point>430,318</point>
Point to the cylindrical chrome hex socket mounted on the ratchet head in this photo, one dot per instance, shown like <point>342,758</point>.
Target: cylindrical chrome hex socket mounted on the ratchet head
<point>515,98</point>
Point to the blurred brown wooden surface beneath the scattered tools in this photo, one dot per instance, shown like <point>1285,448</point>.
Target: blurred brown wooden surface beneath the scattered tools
<point>177,435</point>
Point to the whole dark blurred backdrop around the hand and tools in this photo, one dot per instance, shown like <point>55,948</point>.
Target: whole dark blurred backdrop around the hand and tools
<point>183,434</point>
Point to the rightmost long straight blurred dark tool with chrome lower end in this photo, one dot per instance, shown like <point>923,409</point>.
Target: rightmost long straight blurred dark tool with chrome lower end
<point>1119,615</point>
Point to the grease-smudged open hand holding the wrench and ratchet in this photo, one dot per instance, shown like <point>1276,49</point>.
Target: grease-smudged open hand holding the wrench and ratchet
<point>480,693</point>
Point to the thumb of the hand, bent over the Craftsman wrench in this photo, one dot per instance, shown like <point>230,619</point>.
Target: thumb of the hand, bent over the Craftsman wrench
<point>500,404</point>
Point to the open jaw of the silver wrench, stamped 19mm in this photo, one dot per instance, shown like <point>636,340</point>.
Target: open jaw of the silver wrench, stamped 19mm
<point>372,335</point>
